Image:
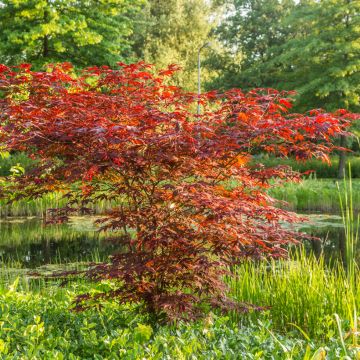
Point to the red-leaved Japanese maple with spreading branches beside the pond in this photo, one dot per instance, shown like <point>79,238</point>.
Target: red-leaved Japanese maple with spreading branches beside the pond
<point>189,204</point>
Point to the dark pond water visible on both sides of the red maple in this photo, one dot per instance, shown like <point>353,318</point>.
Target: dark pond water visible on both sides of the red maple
<point>31,244</point>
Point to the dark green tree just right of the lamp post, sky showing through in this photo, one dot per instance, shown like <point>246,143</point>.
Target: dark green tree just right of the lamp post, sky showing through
<point>250,33</point>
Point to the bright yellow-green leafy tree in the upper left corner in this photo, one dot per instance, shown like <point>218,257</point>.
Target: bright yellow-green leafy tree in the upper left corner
<point>81,31</point>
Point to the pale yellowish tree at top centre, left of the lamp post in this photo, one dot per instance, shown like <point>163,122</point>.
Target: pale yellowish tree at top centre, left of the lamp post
<point>172,31</point>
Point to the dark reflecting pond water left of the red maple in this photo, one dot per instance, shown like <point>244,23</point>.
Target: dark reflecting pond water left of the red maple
<point>29,242</point>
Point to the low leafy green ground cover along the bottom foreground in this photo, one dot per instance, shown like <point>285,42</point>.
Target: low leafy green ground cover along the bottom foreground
<point>36,324</point>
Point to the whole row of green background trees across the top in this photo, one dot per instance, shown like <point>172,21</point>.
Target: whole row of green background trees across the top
<point>311,46</point>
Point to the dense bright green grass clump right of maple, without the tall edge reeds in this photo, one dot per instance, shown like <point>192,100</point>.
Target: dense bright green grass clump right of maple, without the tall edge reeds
<point>300,292</point>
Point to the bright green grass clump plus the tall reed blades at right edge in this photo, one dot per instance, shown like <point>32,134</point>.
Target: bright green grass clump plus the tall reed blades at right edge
<point>303,291</point>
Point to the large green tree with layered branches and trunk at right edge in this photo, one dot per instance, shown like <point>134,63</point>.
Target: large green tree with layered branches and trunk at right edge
<point>321,59</point>
